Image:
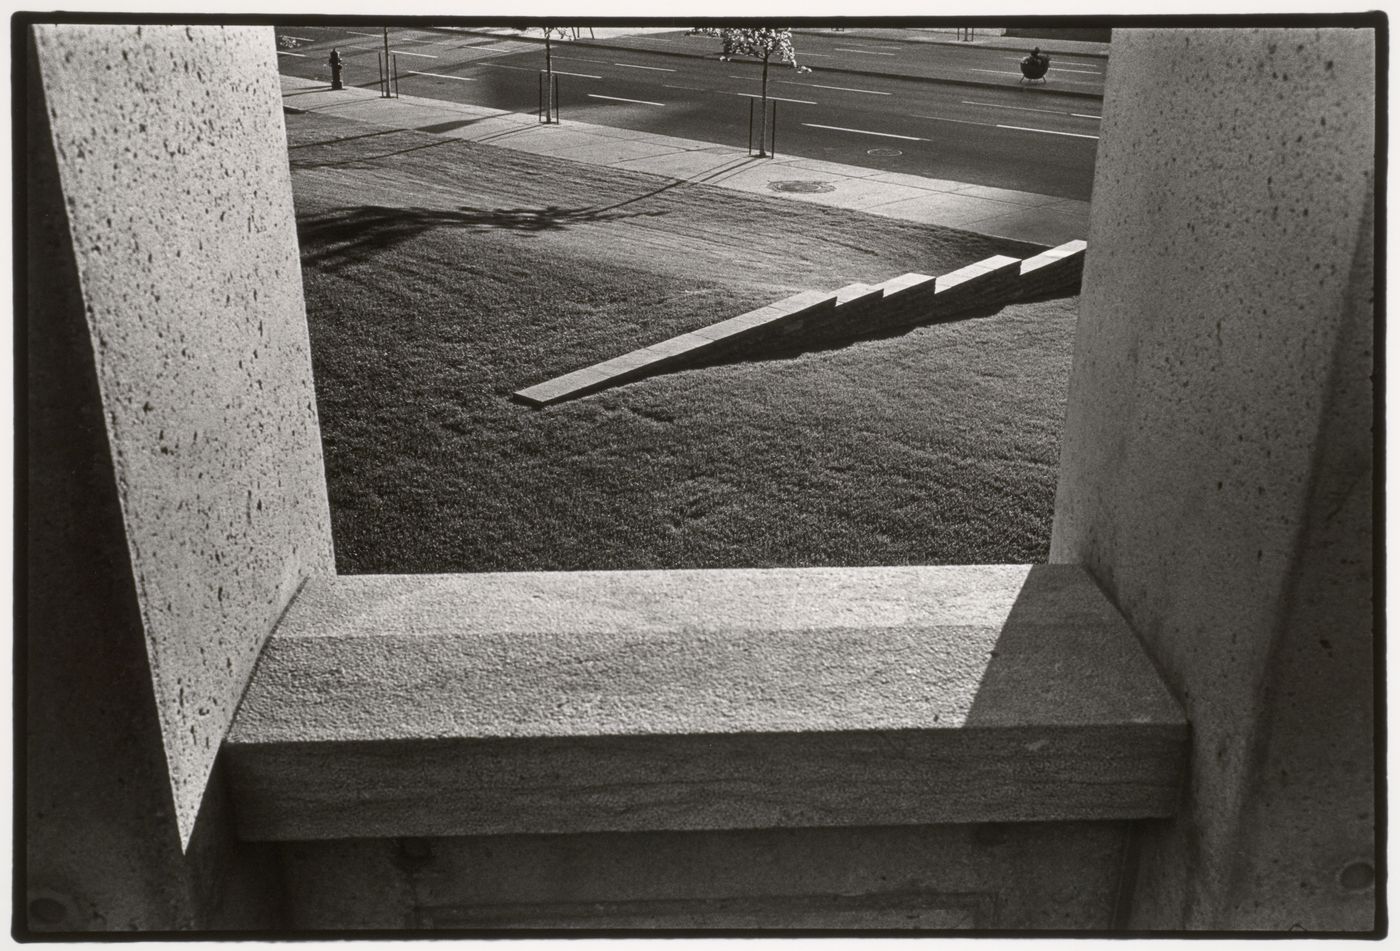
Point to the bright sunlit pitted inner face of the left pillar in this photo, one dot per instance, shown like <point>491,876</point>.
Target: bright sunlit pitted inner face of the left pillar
<point>171,158</point>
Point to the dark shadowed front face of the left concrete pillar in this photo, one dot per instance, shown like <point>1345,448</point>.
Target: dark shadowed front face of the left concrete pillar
<point>103,848</point>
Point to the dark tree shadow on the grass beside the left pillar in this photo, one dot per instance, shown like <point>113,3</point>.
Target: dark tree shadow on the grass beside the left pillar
<point>342,237</point>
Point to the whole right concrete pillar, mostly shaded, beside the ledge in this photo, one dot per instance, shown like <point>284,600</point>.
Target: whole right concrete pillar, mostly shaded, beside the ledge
<point>1216,471</point>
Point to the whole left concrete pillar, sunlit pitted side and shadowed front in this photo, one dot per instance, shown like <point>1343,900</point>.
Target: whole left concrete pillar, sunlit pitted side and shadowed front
<point>176,487</point>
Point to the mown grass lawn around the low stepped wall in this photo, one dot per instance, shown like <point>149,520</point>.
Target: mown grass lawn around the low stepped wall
<point>442,277</point>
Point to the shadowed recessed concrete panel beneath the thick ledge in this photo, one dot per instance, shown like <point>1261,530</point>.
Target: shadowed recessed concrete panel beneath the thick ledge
<point>1048,876</point>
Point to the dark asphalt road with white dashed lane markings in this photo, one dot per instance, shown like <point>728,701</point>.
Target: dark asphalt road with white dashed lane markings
<point>1006,135</point>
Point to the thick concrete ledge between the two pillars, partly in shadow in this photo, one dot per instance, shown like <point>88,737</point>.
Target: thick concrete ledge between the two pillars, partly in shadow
<point>629,701</point>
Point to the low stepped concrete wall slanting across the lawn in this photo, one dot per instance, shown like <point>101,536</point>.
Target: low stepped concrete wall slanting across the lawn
<point>821,319</point>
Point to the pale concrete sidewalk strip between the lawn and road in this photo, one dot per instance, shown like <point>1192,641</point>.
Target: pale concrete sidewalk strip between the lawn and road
<point>997,212</point>
